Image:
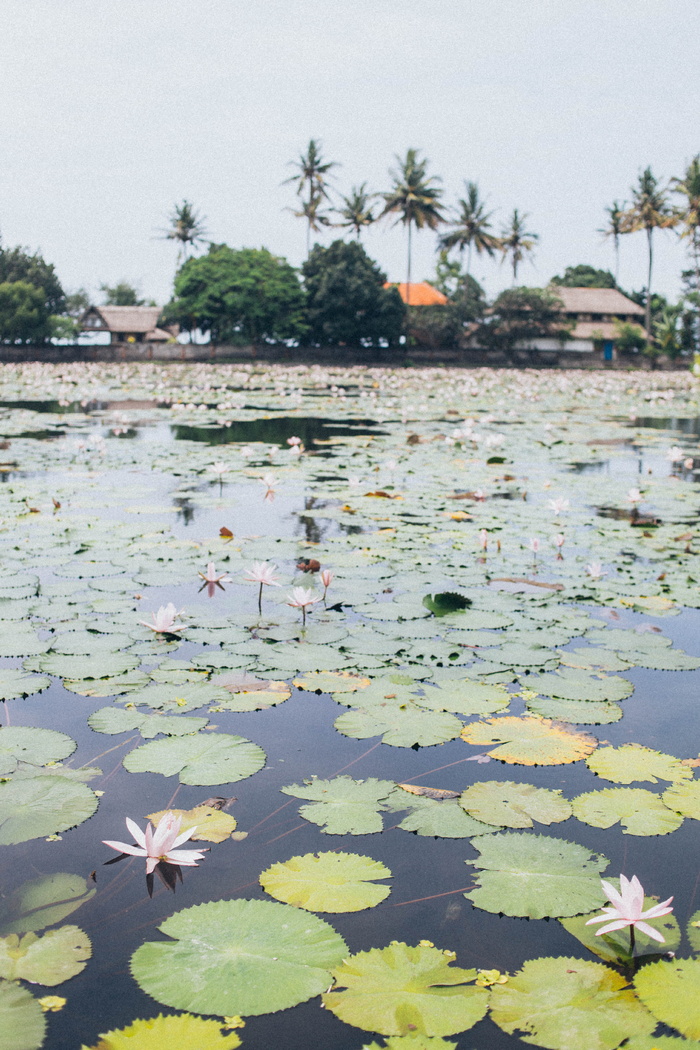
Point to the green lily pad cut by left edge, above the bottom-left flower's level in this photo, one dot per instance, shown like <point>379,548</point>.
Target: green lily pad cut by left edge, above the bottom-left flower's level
<point>36,807</point>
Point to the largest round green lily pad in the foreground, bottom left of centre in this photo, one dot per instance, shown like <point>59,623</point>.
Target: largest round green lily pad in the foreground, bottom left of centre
<point>239,957</point>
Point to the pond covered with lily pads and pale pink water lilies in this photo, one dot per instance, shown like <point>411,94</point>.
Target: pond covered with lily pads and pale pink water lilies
<point>409,778</point>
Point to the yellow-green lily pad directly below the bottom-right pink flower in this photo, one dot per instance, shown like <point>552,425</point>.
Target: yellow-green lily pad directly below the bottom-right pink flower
<point>569,1004</point>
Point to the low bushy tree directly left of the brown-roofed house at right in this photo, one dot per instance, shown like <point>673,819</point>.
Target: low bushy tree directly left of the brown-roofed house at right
<point>519,316</point>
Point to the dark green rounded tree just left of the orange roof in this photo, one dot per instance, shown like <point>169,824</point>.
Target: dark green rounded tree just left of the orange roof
<point>347,299</point>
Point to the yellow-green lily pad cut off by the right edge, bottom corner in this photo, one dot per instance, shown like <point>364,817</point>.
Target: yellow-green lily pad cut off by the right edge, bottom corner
<point>671,991</point>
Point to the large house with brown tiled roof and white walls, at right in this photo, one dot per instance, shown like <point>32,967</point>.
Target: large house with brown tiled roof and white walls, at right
<point>590,317</point>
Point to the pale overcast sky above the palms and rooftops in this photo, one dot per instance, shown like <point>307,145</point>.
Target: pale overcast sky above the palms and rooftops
<point>115,110</point>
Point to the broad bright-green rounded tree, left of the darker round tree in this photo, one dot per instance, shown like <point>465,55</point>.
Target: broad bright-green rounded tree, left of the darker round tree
<point>239,296</point>
